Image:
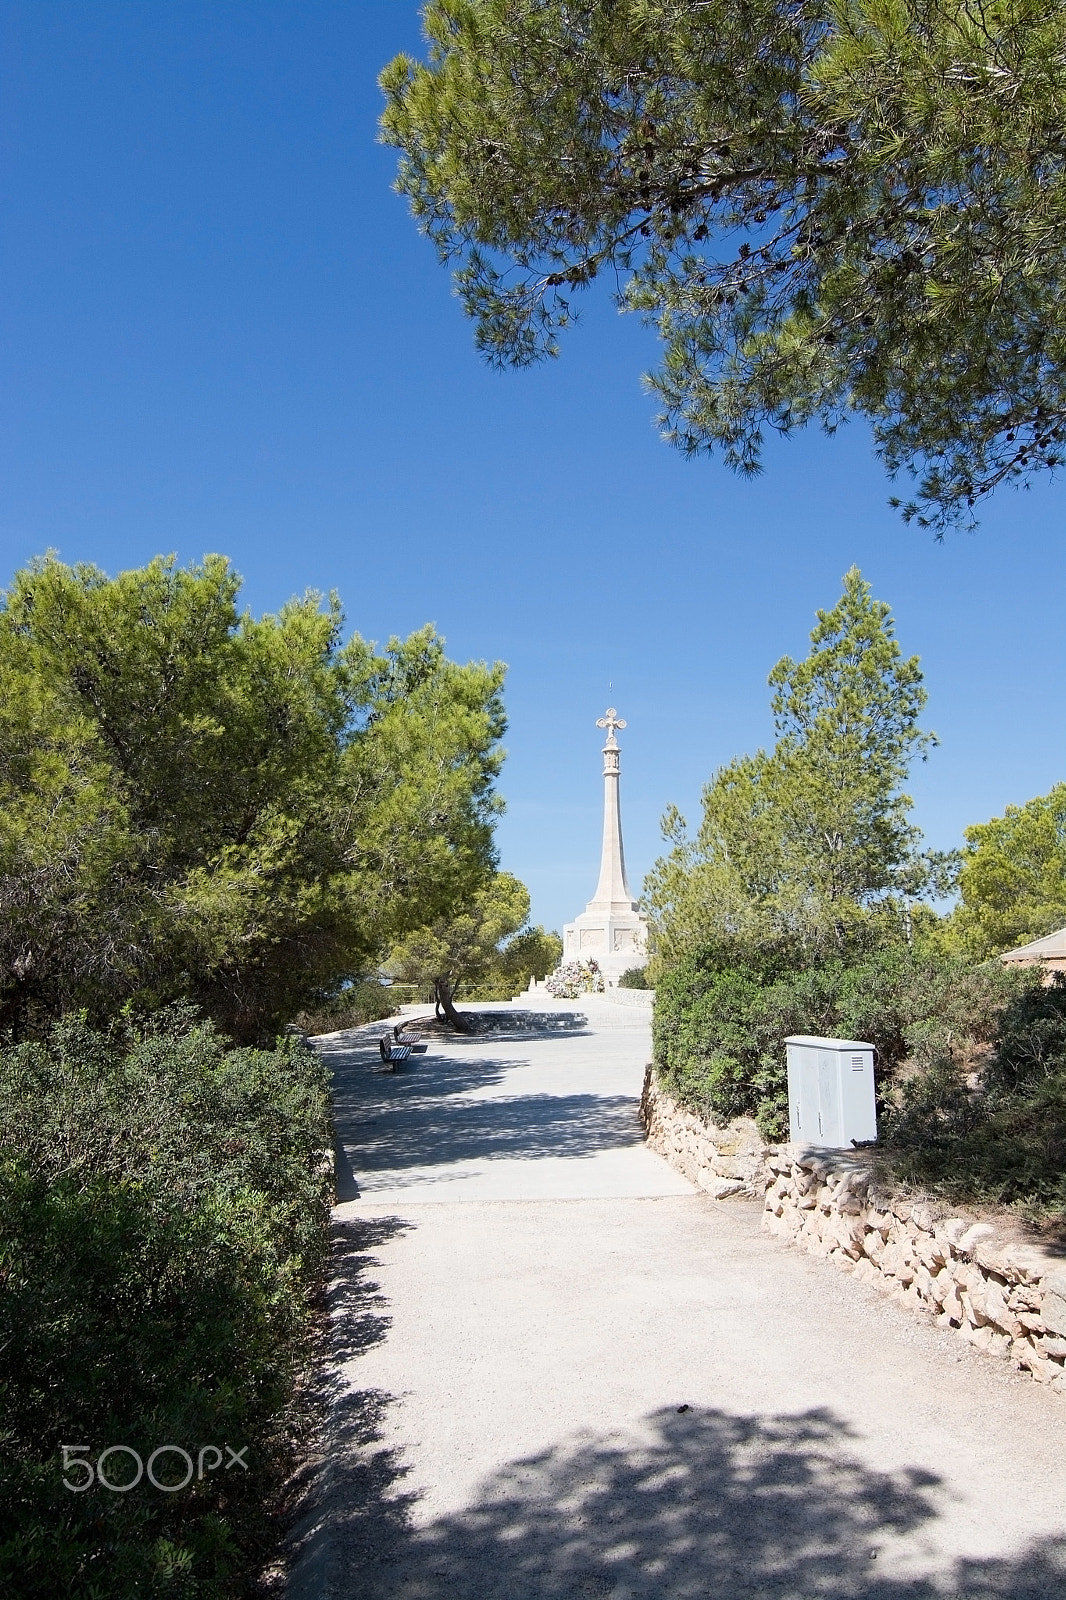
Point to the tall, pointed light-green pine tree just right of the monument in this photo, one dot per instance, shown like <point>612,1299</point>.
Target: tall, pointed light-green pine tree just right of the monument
<point>809,849</point>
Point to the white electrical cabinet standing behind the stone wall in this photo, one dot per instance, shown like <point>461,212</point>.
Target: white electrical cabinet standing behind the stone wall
<point>832,1092</point>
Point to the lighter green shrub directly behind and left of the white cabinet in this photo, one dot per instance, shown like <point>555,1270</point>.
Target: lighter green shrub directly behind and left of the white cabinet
<point>721,1020</point>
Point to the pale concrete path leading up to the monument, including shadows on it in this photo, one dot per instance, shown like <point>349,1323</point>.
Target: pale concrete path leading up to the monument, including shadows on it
<point>564,1374</point>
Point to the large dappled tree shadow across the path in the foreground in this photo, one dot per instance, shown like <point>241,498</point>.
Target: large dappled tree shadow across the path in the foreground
<point>711,1505</point>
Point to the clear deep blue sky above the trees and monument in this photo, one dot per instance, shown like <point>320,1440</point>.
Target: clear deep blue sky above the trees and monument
<point>222,332</point>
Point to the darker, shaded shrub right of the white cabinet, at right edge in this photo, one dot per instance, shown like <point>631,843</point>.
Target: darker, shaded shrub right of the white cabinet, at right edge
<point>1001,1138</point>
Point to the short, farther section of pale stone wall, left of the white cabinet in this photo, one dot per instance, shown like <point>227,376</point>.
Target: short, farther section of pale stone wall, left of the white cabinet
<point>723,1161</point>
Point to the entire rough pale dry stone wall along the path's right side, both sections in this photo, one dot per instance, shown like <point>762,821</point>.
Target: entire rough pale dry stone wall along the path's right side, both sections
<point>1004,1298</point>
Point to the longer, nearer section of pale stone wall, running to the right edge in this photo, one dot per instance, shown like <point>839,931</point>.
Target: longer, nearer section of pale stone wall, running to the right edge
<point>1004,1298</point>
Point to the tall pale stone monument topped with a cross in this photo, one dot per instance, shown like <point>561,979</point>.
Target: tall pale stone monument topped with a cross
<point>611,930</point>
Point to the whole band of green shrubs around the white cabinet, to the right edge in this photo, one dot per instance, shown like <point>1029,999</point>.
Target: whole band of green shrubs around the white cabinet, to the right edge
<point>971,1060</point>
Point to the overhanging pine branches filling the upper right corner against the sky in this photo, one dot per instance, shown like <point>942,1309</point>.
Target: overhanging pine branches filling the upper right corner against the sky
<point>825,209</point>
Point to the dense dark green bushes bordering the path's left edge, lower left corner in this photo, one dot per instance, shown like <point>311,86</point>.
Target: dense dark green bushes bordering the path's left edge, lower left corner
<point>164,1217</point>
